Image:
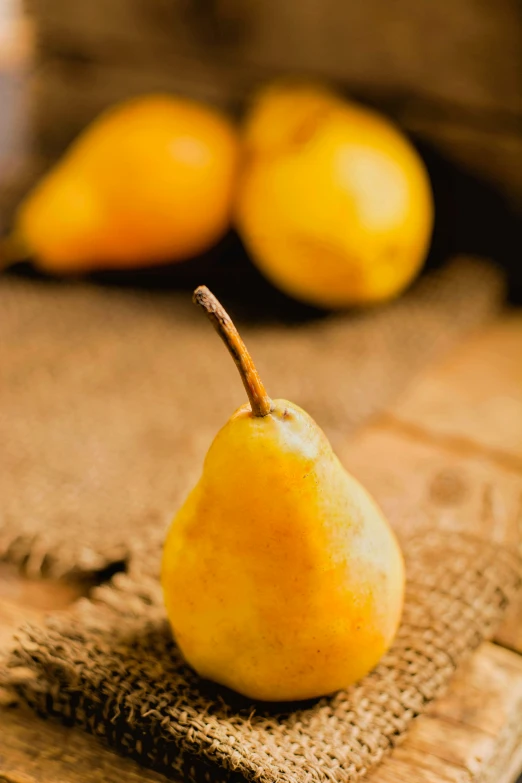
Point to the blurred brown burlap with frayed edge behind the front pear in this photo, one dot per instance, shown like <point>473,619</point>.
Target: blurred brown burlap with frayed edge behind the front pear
<point>109,400</point>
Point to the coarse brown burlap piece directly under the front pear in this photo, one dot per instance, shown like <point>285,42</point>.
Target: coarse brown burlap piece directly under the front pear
<point>114,670</point>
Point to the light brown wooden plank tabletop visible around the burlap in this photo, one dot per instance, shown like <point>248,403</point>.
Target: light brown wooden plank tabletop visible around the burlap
<point>452,444</point>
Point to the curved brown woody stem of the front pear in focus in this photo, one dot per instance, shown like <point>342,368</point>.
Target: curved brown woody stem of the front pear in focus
<point>260,402</point>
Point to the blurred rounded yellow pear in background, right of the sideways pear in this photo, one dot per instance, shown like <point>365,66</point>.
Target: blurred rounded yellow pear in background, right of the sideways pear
<point>334,203</point>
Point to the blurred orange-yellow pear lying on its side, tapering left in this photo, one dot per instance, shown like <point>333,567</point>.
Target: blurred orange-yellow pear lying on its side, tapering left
<point>150,181</point>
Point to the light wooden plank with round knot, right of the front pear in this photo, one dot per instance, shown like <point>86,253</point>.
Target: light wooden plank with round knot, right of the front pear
<point>418,482</point>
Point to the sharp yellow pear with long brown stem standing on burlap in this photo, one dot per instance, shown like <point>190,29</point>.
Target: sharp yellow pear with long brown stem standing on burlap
<point>281,577</point>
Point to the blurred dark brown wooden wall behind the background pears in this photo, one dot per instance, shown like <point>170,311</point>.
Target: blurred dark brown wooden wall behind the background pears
<point>450,73</point>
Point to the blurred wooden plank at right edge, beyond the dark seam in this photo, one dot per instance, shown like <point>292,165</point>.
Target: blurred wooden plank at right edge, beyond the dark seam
<point>473,398</point>
